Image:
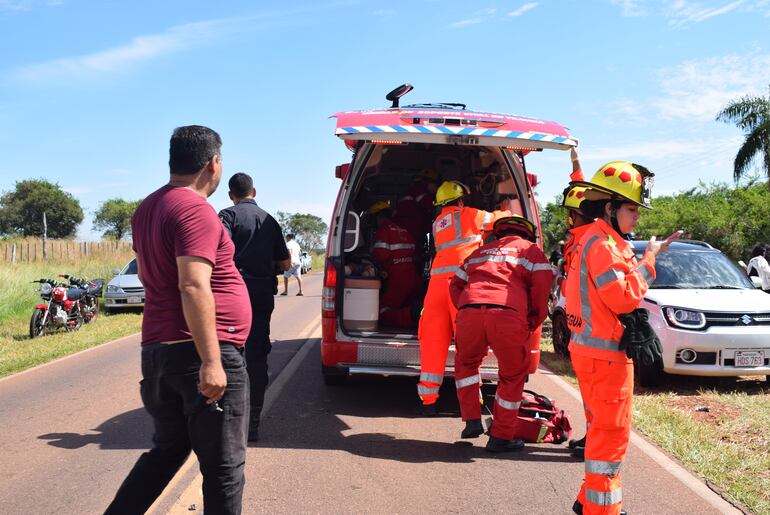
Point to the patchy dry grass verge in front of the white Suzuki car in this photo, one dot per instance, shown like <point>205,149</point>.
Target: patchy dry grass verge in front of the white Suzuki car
<point>728,446</point>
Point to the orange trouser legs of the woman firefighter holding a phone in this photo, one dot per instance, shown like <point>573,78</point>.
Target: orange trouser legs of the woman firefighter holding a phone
<point>607,389</point>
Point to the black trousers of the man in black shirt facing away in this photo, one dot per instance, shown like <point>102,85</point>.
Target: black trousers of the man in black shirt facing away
<point>258,343</point>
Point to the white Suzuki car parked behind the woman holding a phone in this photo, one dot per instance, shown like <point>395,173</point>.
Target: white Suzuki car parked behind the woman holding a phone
<point>710,318</point>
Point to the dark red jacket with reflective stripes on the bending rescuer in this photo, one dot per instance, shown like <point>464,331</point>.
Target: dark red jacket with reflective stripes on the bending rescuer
<point>509,272</point>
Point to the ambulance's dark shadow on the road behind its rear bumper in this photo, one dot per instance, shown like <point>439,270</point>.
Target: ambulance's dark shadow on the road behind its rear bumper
<point>318,423</point>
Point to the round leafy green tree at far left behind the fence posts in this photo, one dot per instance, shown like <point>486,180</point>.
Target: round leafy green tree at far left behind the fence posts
<point>21,210</point>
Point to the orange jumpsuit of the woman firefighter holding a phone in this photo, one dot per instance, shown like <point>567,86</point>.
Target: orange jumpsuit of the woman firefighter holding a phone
<point>604,280</point>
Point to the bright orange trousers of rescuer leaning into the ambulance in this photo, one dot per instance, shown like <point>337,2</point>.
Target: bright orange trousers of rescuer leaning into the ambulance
<point>435,334</point>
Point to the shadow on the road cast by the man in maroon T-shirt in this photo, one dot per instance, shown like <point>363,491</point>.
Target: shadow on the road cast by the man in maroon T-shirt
<point>129,430</point>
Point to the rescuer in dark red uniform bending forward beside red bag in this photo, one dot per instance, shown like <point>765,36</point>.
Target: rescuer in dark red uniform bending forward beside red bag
<point>501,292</point>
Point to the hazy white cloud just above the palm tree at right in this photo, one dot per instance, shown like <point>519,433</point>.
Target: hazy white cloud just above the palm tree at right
<point>697,90</point>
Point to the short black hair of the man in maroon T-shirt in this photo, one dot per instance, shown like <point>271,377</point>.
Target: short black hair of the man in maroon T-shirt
<point>191,148</point>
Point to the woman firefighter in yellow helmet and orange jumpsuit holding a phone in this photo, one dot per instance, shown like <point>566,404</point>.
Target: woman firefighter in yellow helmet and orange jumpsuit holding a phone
<point>604,281</point>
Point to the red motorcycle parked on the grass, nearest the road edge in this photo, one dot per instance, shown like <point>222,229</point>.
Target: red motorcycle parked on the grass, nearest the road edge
<point>60,308</point>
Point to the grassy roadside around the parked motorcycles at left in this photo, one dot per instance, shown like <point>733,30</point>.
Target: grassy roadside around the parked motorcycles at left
<point>18,298</point>
